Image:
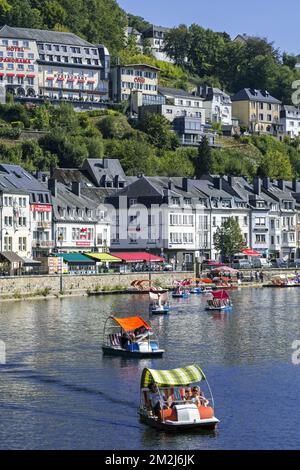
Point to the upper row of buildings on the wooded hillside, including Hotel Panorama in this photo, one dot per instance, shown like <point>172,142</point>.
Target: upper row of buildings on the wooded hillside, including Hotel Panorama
<point>37,64</point>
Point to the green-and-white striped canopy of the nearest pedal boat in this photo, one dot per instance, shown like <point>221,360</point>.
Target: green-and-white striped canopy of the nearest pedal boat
<point>174,377</point>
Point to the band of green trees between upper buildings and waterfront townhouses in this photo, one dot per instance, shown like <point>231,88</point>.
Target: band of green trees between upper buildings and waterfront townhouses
<point>45,136</point>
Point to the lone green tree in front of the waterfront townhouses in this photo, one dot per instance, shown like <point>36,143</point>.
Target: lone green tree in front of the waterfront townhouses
<point>228,239</point>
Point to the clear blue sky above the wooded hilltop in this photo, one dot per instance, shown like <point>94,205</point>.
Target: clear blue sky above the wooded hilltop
<point>277,21</point>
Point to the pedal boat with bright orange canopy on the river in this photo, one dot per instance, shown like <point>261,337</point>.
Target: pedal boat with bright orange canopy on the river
<point>130,337</point>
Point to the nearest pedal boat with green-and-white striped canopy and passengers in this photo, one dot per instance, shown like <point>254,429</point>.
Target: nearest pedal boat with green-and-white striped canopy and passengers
<point>172,400</point>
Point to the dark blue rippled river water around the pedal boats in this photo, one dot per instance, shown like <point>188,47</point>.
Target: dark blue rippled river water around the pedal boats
<point>58,392</point>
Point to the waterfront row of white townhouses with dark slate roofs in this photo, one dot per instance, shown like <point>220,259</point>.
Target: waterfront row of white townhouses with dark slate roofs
<point>97,208</point>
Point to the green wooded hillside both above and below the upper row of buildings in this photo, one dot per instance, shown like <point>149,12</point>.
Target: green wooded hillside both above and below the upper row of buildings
<point>201,56</point>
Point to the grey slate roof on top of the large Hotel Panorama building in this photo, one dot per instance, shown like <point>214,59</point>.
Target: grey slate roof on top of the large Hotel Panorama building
<point>41,35</point>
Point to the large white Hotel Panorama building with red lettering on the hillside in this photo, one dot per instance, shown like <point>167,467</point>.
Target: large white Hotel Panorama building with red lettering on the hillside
<point>52,64</point>
